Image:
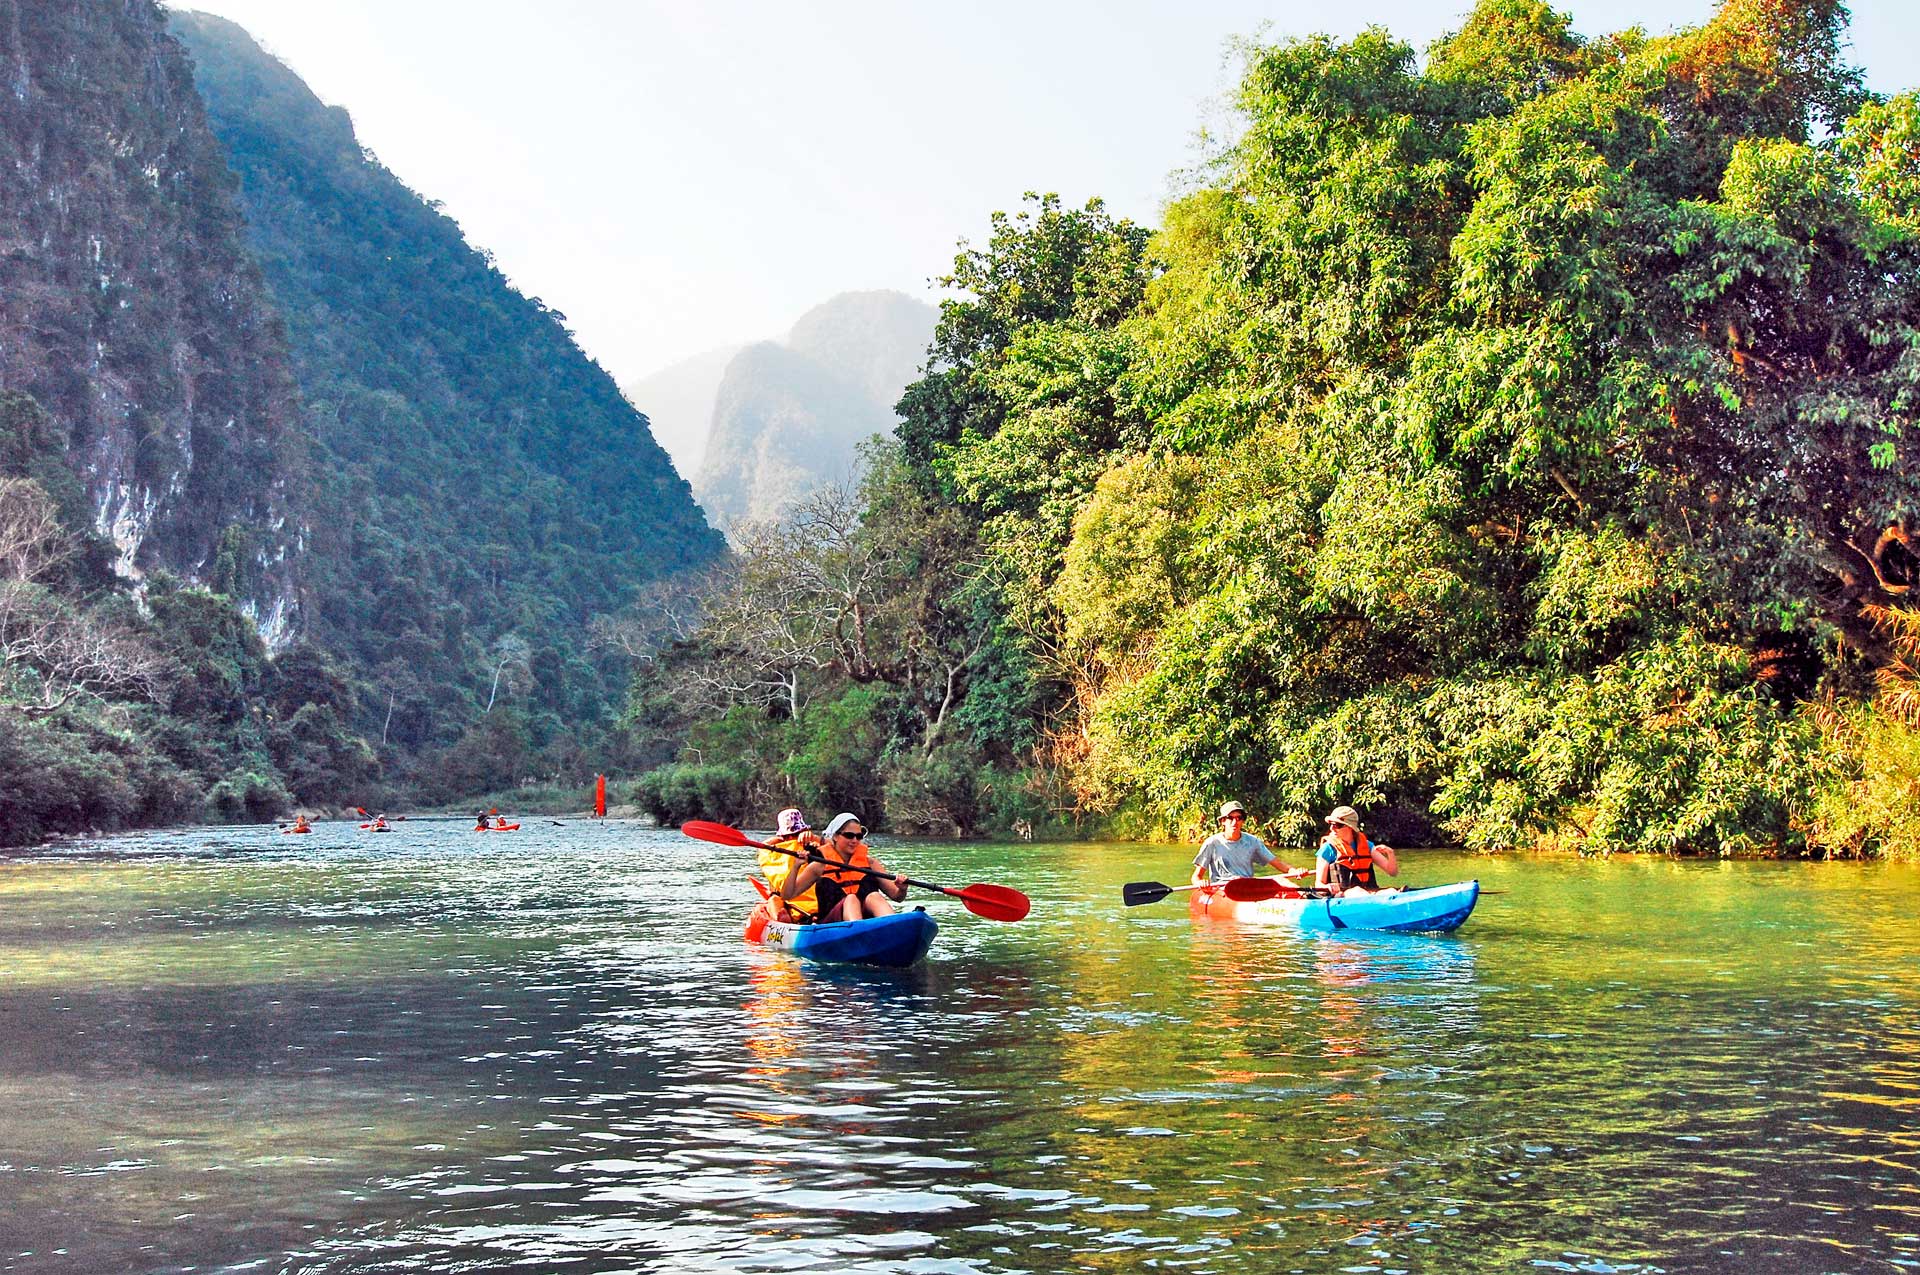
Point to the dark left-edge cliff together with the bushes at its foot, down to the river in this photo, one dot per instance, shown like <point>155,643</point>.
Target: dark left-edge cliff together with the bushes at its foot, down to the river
<point>153,473</point>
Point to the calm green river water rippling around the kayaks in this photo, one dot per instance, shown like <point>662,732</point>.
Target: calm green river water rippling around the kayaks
<point>435,1051</point>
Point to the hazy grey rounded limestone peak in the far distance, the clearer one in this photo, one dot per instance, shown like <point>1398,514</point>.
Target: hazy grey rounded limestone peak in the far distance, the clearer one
<point>790,416</point>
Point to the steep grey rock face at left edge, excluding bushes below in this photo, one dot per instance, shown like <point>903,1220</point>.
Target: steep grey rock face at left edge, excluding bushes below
<point>132,310</point>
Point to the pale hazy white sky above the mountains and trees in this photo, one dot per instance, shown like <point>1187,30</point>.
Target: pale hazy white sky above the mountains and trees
<point>696,174</point>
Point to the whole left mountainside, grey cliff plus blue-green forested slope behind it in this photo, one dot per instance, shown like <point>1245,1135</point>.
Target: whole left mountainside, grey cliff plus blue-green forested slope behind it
<point>300,502</point>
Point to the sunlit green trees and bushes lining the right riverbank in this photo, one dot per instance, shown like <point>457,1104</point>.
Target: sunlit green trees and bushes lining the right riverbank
<point>1514,443</point>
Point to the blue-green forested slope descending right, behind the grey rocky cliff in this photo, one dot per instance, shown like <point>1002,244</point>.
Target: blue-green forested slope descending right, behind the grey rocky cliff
<point>479,487</point>
